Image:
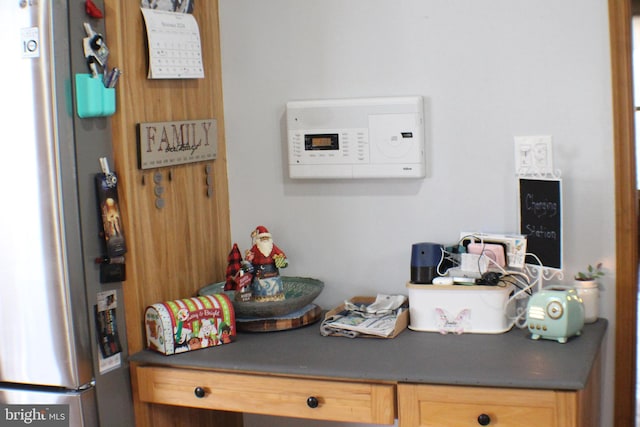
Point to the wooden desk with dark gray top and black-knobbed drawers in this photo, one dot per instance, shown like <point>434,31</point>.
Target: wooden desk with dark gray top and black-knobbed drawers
<point>411,366</point>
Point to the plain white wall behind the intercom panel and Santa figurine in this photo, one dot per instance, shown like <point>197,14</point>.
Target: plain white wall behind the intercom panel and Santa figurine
<point>488,70</point>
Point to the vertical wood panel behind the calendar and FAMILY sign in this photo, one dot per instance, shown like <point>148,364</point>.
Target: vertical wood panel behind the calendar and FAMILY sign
<point>175,250</point>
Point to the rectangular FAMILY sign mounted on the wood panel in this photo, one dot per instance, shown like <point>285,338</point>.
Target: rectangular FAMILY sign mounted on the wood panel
<point>162,144</point>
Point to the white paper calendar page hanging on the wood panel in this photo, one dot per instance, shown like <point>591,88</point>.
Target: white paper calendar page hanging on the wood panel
<point>175,51</point>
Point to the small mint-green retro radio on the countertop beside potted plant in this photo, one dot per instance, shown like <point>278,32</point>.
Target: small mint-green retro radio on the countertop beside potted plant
<point>555,314</point>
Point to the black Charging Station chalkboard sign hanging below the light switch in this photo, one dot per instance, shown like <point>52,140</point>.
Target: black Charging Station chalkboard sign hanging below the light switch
<point>541,220</point>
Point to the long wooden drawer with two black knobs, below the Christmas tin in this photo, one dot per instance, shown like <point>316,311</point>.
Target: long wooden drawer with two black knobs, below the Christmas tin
<point>270,395</point>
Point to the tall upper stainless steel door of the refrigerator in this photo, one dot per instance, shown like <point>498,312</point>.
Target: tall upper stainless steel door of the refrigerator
<point>42,340</point>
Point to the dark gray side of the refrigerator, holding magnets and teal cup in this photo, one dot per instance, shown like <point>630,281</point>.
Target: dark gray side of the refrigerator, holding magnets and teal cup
<point>93,140</point>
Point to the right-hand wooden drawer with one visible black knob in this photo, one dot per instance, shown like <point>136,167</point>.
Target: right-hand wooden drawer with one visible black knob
<point>452,406</point>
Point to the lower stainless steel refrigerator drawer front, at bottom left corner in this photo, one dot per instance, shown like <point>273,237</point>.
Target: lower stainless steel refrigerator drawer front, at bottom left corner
<point>73,409</point>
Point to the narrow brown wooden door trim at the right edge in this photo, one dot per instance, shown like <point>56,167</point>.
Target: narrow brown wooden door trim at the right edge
<point>626,212</point>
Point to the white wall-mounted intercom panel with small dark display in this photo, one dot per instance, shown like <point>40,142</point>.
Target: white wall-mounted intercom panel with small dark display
<point>356,138</point>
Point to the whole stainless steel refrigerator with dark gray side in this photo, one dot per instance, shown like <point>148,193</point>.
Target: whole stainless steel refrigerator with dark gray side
<point>50,356</point>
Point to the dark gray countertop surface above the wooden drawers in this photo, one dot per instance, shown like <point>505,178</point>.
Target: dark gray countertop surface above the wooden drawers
<point>511,359</point>
